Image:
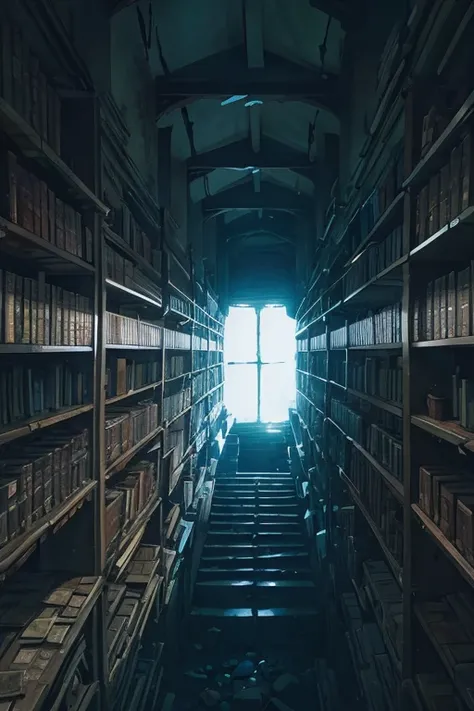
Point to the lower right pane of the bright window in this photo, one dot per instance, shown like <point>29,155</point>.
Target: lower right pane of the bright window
<point>277,391</point>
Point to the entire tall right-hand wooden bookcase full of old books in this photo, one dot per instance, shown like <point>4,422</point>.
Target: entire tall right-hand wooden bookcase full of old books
<point>400,166</point>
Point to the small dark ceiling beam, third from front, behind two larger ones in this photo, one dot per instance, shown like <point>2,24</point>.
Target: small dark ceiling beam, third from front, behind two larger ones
<point>270,197</point>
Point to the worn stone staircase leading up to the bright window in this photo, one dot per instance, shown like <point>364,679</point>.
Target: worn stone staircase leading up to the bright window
<point>254,576</point>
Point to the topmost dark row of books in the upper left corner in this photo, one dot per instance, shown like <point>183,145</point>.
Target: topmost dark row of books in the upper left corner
<point>25,86</point>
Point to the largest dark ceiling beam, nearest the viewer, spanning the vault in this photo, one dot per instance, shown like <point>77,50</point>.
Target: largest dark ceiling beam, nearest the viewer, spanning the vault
<point>220,77</point>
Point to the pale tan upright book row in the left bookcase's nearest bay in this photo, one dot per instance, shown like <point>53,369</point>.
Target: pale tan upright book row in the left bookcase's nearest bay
<point>37,313</point>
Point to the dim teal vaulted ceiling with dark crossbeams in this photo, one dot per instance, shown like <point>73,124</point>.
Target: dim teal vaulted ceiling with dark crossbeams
<point>250,91</point>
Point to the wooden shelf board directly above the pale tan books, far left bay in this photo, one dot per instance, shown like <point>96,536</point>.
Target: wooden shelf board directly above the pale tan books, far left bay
<point>25,245</point>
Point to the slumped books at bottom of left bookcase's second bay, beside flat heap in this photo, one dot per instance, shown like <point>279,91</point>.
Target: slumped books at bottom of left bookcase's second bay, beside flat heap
<point>129,607</point>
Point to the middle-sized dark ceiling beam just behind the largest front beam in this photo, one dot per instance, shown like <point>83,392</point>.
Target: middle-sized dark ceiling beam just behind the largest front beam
<point>272,154</point>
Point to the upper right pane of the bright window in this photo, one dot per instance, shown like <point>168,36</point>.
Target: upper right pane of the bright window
<point>277,335</point>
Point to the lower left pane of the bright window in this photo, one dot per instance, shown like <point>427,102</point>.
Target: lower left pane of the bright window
<point>241,392</point>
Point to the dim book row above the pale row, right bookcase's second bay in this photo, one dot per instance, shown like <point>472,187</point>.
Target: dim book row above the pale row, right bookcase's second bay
<point>373,261</point>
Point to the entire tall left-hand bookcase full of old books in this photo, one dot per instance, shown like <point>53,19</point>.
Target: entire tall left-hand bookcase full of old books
<point>111,399</point>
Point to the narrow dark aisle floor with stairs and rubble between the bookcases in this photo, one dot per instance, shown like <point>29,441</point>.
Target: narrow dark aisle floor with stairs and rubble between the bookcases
<point>255,627</point>
